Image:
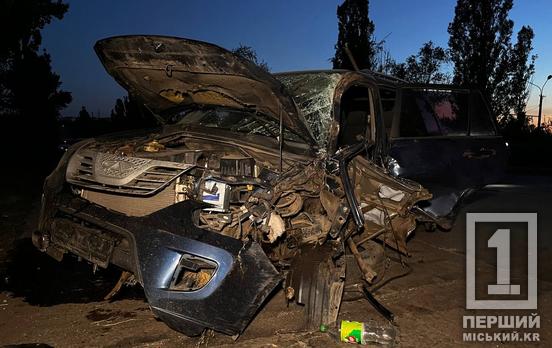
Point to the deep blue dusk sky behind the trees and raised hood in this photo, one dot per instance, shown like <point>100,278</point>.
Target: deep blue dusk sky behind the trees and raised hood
<point>288,35</point>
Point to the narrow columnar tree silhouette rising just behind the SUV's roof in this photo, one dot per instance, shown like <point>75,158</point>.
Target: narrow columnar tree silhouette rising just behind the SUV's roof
<point>355,32</point>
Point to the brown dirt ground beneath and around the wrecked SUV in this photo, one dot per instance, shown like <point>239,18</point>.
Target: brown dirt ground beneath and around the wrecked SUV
<point>44,303</point>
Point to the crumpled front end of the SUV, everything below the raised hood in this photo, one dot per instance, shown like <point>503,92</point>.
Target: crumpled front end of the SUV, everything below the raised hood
<point>210,228</point>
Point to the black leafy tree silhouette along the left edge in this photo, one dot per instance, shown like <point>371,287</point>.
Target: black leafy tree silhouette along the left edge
<point>30,98</point>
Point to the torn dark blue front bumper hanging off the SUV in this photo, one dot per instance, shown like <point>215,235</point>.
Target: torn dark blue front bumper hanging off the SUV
<point>158,248</point>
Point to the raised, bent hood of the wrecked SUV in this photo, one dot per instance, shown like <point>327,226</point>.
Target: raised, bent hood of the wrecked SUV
<point>168,72</point>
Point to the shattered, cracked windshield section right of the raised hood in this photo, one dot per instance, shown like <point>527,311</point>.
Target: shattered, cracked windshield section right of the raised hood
<point>313,93</point>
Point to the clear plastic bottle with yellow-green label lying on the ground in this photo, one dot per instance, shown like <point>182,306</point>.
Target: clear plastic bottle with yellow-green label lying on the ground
<point>362,333</point>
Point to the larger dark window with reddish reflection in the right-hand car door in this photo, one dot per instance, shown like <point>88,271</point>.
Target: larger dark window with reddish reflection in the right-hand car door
<point>427,112</point>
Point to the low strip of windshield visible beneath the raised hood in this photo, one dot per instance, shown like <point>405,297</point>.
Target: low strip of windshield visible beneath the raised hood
<point>234,121</point>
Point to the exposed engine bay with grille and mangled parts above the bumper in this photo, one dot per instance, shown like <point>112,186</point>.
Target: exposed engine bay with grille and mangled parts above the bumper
<point>247,197</point>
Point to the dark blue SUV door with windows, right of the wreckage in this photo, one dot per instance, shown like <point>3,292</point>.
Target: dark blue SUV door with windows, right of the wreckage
<point>444,138</point>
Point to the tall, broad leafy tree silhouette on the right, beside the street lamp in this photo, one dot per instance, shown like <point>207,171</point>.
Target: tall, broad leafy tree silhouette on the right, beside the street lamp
<point>482,52</point>
